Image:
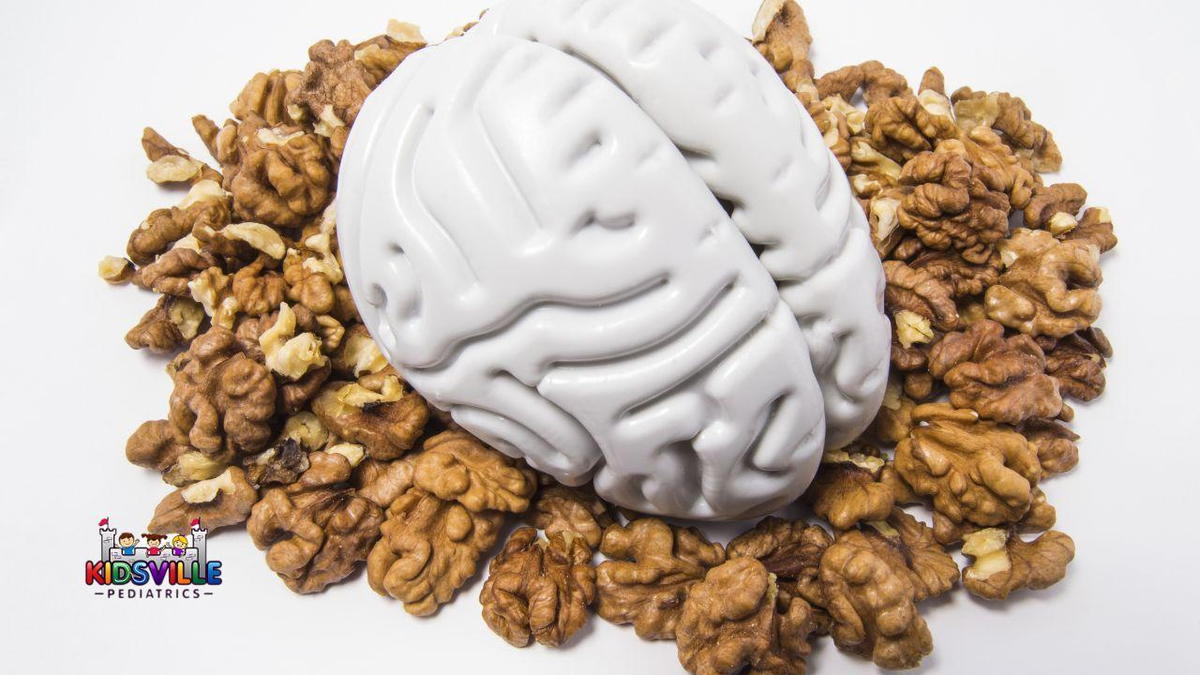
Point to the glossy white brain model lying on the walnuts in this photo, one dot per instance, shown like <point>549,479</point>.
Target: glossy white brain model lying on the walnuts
<point>607,238</point>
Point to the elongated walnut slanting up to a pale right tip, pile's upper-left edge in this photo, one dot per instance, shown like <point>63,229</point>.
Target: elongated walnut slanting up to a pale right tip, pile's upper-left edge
<point>206,206</point>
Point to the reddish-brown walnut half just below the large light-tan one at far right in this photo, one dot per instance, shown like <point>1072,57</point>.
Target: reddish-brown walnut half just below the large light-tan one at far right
<point>1001,379</point>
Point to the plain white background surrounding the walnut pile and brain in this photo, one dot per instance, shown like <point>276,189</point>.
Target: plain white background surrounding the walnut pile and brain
<point>1114,81</point>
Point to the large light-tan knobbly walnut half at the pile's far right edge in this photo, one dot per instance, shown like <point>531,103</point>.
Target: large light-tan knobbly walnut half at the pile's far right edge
<point>1049,288</point>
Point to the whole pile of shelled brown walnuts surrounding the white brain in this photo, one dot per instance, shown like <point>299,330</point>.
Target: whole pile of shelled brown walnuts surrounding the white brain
<point>286,417</point>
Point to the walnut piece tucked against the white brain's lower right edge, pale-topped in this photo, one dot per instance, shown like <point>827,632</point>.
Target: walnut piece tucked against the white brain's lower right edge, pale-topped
<point>847,492</point>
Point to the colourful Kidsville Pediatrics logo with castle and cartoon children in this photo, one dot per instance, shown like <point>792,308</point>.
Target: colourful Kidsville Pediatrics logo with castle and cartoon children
<point>170,566</point>
